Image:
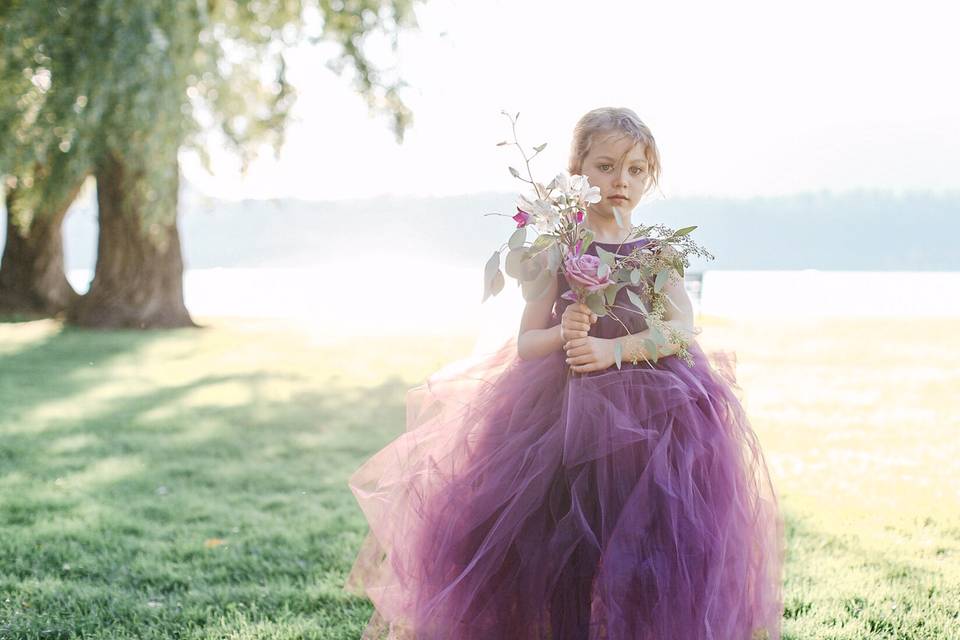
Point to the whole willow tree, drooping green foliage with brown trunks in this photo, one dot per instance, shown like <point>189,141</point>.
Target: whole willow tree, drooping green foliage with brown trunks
<point>117,89</point>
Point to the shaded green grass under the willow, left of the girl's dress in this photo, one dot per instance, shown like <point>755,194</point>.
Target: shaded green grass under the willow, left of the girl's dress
<point>154,516</point>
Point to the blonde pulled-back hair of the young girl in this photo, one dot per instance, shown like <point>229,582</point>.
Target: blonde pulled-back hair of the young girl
<point>612,120</point>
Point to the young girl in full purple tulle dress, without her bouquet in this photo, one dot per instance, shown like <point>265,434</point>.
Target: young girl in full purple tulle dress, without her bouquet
<point>542,493</point>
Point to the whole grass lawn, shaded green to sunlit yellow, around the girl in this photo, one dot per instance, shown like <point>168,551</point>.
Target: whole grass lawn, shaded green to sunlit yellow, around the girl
<point>192,483</point>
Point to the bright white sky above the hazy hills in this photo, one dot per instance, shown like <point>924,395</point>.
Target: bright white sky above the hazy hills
<point>743,97</point>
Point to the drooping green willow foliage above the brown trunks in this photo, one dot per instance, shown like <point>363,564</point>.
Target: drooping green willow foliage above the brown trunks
<point>140,79</point>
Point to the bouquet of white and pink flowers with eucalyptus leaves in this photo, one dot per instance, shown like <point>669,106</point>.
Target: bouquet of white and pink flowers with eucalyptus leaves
<point>557,211</point>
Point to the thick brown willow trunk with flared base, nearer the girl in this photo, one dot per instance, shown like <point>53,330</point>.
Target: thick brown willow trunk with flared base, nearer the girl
<point>138,279</point>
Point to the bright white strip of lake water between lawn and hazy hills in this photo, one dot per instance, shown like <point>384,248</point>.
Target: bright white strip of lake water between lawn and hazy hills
<point>417,297</point>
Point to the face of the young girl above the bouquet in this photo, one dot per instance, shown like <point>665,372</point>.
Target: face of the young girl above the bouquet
<point>616,163</point>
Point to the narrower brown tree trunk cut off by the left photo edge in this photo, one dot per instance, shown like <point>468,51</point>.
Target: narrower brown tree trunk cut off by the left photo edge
<point>32,277</point>
